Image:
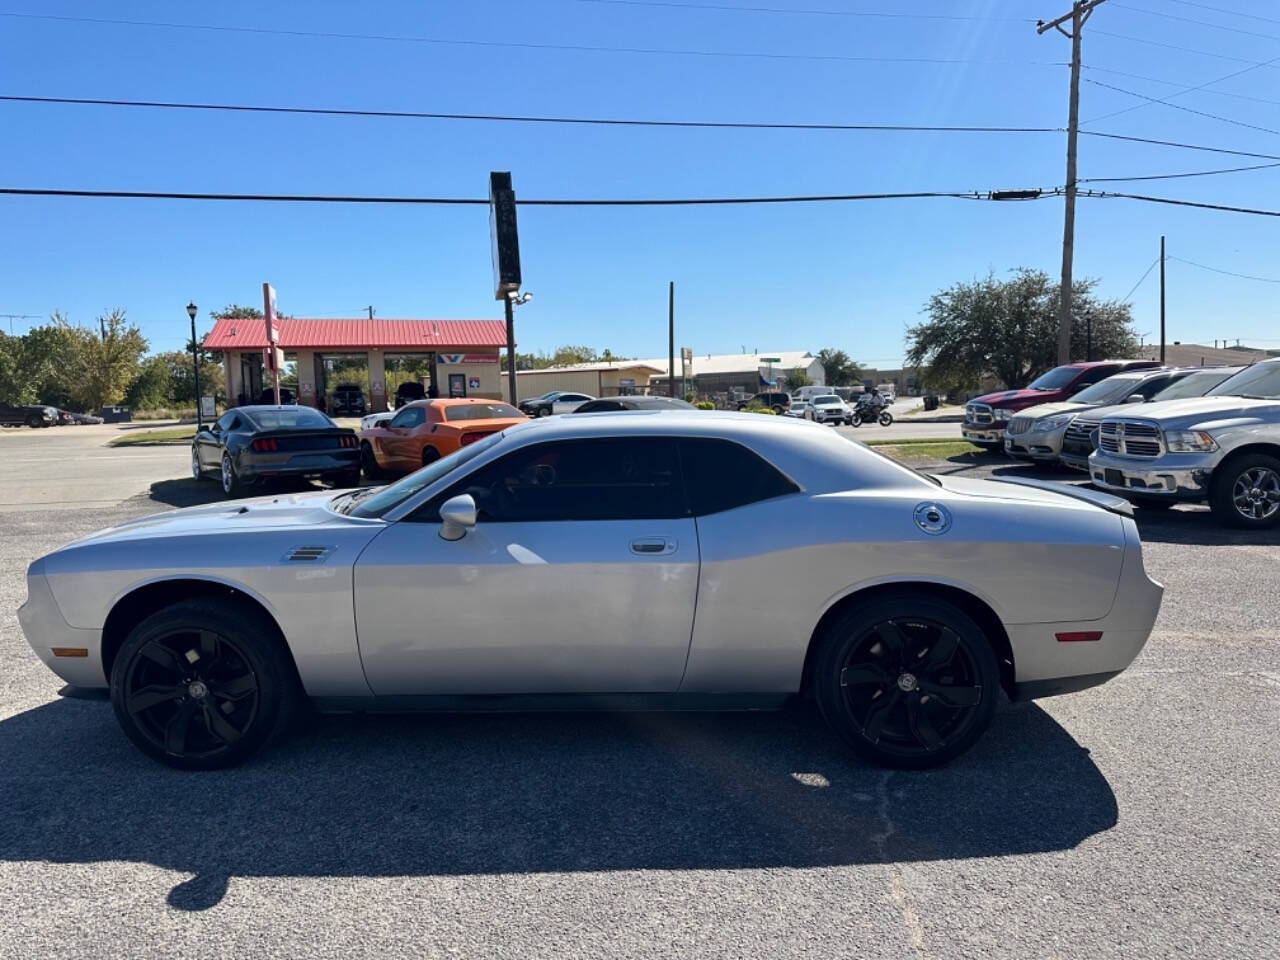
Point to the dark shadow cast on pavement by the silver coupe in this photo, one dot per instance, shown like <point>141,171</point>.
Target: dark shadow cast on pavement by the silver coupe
<point>438,796</point>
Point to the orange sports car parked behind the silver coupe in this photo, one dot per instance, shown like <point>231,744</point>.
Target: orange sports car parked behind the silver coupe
<point>426,431</point>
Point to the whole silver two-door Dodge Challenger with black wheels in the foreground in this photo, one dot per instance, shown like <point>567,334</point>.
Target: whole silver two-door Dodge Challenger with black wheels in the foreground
<point>671,560</point>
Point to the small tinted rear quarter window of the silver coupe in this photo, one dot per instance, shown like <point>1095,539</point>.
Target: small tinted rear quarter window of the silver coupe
<point>721,476</point>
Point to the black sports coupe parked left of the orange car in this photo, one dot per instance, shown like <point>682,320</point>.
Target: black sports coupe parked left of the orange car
<point>252,445</point>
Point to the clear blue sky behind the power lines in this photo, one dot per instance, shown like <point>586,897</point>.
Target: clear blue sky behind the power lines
<point>851,276</point>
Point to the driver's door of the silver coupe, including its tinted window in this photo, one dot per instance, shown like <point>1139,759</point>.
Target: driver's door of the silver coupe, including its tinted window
<point>580,577</point>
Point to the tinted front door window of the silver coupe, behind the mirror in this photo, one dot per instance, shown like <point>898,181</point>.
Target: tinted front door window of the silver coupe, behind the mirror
<point>575,481</point>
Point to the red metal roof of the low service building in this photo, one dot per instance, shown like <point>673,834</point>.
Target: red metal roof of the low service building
<point>358,333</point>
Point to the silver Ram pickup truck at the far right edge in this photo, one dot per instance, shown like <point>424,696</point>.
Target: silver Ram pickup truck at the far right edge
<point>1223,449</point>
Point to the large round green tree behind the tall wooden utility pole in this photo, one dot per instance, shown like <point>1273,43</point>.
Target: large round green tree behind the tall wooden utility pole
<point>1009,330</point>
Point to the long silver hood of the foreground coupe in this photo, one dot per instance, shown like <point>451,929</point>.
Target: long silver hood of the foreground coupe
<point>263,514</point>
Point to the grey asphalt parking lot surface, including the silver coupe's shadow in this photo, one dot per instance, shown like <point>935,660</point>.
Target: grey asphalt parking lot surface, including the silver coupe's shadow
<point>1137,820</point>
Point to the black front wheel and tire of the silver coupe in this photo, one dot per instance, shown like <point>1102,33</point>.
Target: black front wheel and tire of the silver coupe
<point>239,693</point>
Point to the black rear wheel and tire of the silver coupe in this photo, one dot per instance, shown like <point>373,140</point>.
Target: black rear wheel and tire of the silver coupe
<point>907,682</point>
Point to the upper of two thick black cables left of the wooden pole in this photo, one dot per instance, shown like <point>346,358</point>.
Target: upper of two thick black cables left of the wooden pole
<point>513,118</point>
